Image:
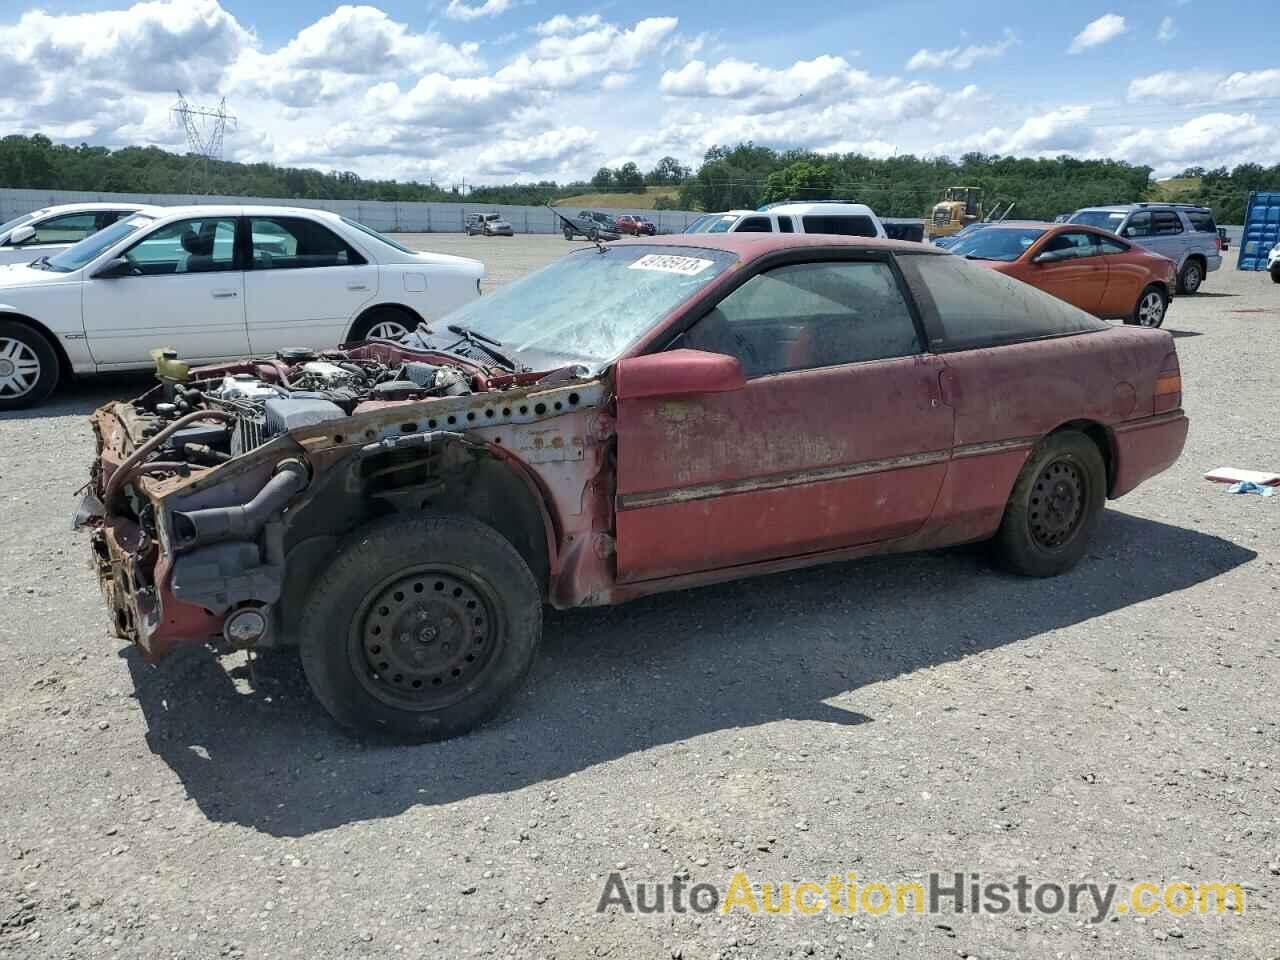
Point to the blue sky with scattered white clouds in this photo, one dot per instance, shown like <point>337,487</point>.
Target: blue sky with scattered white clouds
<point>501,90</point>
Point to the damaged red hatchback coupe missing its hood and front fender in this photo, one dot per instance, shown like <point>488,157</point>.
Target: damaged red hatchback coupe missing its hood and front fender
<point>646,418</point>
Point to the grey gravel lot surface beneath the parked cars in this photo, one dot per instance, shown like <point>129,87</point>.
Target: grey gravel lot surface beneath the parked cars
<point>889,717</point>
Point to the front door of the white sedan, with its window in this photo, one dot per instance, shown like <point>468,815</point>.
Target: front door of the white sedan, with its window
<point>184,289</point>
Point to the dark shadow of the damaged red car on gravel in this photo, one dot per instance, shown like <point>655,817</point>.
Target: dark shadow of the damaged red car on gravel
<point>254,748</point>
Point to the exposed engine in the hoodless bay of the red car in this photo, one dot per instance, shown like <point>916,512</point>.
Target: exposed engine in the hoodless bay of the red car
<point>295,388</point>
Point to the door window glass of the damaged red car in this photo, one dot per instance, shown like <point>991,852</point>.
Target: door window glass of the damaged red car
<point>811,316</point>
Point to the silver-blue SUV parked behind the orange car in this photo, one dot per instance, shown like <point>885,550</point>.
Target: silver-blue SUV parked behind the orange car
<point>1185,234</point>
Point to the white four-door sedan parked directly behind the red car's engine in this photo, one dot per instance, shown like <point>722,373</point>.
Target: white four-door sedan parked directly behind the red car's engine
<point>214,282</point>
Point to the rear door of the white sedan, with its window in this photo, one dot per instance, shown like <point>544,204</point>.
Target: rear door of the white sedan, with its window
<point>305,285</point>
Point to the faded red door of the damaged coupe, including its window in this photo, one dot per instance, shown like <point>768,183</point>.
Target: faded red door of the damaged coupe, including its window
<point>838,438</point>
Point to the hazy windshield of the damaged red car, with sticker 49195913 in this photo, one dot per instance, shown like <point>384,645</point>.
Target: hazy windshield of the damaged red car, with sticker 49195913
<point>592,307</point>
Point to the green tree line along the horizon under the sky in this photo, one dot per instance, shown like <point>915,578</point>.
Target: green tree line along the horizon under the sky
<point>743,176</point>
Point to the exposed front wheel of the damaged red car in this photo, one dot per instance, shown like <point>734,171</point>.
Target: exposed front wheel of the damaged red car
<point>422,628</point>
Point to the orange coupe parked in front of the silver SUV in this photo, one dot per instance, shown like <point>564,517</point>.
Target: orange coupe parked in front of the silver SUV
<point>1084,266</point>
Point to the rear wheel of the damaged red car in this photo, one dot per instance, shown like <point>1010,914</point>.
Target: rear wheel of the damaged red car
<point>1055,508</point>
